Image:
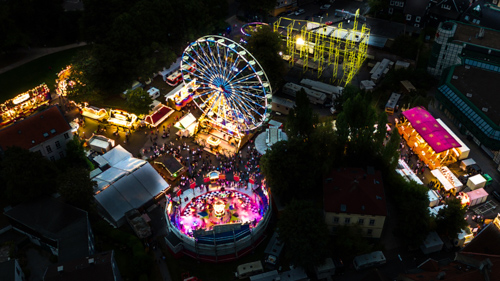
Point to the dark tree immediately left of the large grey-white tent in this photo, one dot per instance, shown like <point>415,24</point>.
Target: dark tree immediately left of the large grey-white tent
<point>76,187</point>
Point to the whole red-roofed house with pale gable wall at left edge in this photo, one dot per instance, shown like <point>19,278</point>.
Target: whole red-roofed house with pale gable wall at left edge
<point>46,132</point>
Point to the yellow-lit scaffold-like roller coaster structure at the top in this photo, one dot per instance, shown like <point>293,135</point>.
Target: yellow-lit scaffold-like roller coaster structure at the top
<point>317,46</point>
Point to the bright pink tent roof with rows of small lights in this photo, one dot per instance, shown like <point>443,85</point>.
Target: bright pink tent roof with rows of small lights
<point>430,130</point>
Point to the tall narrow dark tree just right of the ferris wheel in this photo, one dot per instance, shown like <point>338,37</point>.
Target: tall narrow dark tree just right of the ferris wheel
<point>300,120</point>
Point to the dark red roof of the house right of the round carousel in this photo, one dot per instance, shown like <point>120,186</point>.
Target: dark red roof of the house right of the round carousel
<point>356,191</point>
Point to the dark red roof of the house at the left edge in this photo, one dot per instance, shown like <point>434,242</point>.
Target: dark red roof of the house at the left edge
<point>30,132</point>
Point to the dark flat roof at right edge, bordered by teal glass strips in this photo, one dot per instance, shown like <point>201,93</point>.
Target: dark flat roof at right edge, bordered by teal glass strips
<point>482,86</point>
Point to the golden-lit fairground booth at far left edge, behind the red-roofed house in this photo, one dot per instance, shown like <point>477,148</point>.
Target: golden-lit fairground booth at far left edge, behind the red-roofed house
<point>24,104</point>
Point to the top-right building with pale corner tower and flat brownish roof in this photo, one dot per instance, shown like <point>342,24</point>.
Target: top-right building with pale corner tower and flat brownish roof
<point>461,43</point>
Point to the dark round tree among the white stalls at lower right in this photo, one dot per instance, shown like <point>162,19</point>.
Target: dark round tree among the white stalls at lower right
<point>450,220</point>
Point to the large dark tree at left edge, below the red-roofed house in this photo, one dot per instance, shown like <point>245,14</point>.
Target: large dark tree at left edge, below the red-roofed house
<point>26,175</point>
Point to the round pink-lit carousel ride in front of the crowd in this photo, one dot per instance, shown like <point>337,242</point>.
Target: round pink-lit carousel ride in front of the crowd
<point>223,215</point>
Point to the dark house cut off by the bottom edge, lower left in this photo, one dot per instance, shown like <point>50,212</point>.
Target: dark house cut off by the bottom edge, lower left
<point>100,267</point>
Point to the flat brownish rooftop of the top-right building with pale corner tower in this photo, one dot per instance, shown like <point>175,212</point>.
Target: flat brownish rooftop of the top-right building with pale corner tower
<point>465,32</point>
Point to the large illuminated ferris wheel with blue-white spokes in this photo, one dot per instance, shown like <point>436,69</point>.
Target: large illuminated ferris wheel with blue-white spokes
<point>229,85</point>
